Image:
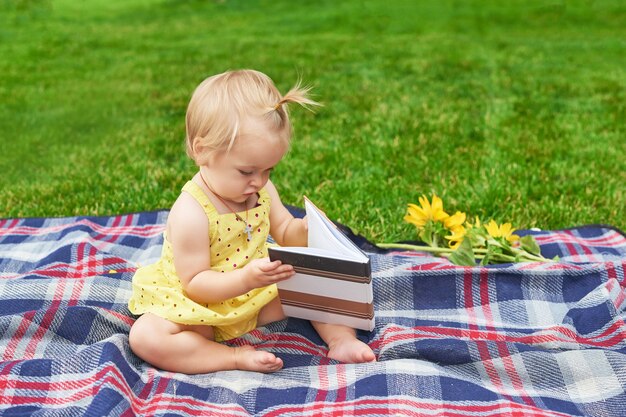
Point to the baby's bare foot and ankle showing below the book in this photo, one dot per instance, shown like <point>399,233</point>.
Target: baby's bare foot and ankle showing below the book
<point>343,344</point>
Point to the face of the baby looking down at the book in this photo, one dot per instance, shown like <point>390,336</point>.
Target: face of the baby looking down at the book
<point>242,172</point>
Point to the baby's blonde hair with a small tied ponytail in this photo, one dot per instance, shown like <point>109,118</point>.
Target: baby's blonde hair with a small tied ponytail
<point>221,102</point>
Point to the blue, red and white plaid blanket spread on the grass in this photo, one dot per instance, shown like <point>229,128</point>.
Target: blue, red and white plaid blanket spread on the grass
<point>521,340</point>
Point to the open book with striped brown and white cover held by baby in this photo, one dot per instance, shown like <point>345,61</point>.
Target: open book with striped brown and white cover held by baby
<point>333,280</point>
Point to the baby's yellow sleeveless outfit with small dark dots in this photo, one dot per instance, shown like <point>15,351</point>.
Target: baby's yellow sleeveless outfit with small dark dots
<point>158,290</point>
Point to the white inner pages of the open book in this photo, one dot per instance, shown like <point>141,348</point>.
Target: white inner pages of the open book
<point>323,234</point>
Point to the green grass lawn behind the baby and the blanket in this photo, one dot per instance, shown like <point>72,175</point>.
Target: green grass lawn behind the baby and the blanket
<point>507,110</point>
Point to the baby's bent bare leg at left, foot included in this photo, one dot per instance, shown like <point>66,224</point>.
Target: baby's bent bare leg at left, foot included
<point>189,349</point>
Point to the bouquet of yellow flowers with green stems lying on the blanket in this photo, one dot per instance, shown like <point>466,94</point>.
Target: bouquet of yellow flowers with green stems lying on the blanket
<point>462,242</point>
